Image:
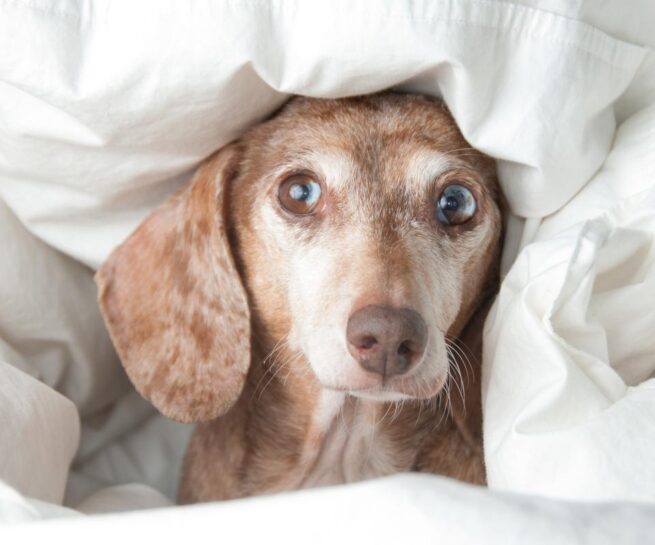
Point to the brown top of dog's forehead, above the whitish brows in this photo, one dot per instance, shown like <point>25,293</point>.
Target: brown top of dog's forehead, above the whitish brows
<point>371,132</point>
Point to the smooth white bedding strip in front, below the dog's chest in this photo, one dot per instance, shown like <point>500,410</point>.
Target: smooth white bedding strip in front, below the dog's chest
<point>398,509</point>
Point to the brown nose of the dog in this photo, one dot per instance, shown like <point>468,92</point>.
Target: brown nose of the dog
<point>386,340</point>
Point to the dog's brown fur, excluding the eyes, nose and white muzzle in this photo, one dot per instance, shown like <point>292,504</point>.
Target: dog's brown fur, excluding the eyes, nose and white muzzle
<point>198,300</point>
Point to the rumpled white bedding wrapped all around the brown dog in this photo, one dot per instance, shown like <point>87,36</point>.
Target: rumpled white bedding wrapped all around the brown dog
<point>107,107</point>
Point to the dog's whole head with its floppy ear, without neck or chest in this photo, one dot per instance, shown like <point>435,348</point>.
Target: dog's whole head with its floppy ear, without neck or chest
<point>361,233</point>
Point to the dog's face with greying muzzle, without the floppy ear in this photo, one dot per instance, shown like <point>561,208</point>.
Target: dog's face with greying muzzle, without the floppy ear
<point>366,229</point>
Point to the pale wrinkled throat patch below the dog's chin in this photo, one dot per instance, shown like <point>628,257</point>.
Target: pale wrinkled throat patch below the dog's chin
<point>350,440</point>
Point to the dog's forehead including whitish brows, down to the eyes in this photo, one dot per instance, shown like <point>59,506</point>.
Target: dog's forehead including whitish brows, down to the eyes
<point>372,146</point>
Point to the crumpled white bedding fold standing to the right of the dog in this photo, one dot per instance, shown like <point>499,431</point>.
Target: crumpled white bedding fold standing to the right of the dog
<point>569,347</point>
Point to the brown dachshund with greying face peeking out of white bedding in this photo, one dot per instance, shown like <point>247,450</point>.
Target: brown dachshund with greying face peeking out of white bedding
<point>314,299</point>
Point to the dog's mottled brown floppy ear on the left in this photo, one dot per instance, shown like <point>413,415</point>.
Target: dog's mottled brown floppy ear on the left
<point>174,303</point>
